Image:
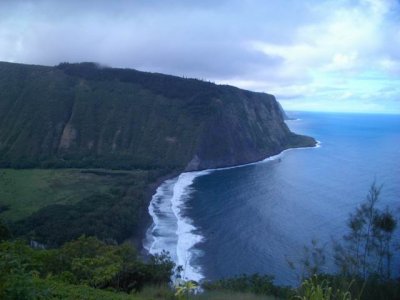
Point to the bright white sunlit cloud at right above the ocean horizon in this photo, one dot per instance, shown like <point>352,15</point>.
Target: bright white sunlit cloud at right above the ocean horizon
<point>339,51</point>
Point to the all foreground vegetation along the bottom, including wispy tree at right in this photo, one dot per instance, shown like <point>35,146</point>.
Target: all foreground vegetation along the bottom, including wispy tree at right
<point>87,268</point>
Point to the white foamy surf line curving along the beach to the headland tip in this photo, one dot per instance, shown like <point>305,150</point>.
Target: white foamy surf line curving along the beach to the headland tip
<point>172,230</point>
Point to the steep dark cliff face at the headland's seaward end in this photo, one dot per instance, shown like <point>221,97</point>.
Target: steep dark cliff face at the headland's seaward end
<point>245,128</point>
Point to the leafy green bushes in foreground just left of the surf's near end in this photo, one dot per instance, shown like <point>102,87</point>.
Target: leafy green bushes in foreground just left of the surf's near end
<point>100,265</point>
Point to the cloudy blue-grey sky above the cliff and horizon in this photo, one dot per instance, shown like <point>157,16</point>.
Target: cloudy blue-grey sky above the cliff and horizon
<point>313,55</point>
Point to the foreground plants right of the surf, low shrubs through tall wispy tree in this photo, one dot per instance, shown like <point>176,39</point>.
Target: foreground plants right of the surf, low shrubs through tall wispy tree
<point>363,258</point>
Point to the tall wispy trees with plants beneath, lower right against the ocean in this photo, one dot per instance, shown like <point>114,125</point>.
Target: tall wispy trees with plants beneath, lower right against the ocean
<point>363,258</point>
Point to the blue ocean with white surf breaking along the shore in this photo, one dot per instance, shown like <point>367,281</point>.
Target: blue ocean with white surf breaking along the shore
<point>259,217</point>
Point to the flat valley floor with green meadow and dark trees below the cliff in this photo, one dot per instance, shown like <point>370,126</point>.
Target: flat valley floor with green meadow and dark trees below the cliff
<point>55,206</point>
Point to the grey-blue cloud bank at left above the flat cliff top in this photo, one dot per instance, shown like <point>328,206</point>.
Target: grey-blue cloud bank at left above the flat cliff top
<point>185,40</point>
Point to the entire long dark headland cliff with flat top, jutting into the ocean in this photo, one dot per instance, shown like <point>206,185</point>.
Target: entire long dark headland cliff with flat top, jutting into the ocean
<point>81,115</point>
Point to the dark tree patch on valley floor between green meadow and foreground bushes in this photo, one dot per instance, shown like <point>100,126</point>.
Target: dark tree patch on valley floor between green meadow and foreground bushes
<point>101,215</point>
